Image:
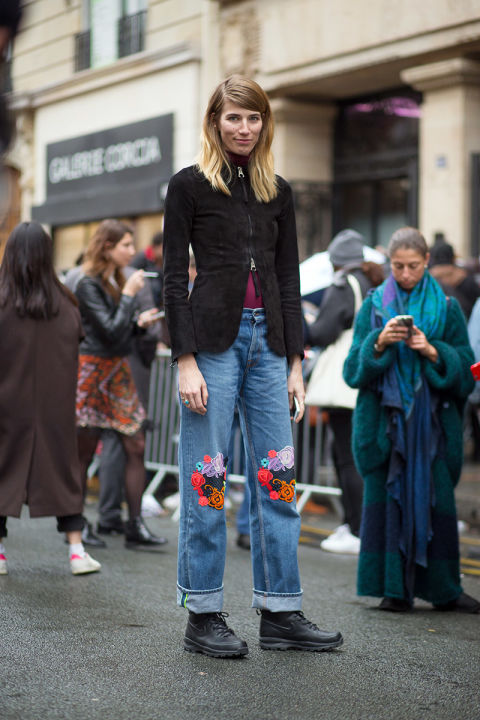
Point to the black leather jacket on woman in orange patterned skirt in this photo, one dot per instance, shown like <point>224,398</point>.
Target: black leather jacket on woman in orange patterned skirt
<point>109,326</point>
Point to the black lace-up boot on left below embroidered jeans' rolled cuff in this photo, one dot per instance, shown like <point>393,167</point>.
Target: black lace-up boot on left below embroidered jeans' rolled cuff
<point>208,633</point>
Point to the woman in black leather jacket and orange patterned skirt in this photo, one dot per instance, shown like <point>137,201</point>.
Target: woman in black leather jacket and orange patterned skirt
<point>106,395</point>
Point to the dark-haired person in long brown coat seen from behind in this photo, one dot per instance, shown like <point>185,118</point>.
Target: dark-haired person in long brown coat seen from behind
<point>40,329</point>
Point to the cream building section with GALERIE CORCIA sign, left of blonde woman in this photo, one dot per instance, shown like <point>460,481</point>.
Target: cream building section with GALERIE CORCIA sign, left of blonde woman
<point>107,97</point>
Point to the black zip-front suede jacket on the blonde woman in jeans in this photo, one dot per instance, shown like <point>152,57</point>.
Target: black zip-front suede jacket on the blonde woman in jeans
<point>230,236</point>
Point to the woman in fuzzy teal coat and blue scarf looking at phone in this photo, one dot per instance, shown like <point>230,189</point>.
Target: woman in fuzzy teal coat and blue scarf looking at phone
<point>407,434</point>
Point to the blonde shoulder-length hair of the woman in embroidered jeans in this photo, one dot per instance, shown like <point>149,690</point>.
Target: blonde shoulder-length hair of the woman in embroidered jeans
<point>213,161</point>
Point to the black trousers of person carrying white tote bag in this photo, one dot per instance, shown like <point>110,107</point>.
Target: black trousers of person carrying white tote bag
<point>351,484</point>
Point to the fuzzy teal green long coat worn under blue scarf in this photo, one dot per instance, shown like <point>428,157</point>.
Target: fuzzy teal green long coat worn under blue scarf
<point>380,568</point>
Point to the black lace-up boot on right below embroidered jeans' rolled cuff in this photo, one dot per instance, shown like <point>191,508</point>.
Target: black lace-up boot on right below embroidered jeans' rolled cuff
<point>292,631</point>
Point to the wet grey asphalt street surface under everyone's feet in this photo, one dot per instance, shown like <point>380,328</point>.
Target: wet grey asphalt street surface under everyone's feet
<point>109,646</point>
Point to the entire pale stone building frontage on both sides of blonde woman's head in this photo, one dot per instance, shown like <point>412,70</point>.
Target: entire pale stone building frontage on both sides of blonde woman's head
<point>377,109</point>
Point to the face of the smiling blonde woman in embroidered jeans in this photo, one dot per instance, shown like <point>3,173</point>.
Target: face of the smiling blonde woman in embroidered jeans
<point>239,128</point>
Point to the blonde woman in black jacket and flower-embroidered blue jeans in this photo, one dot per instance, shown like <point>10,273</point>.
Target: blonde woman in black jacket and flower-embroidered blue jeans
<point>237,339</point>
